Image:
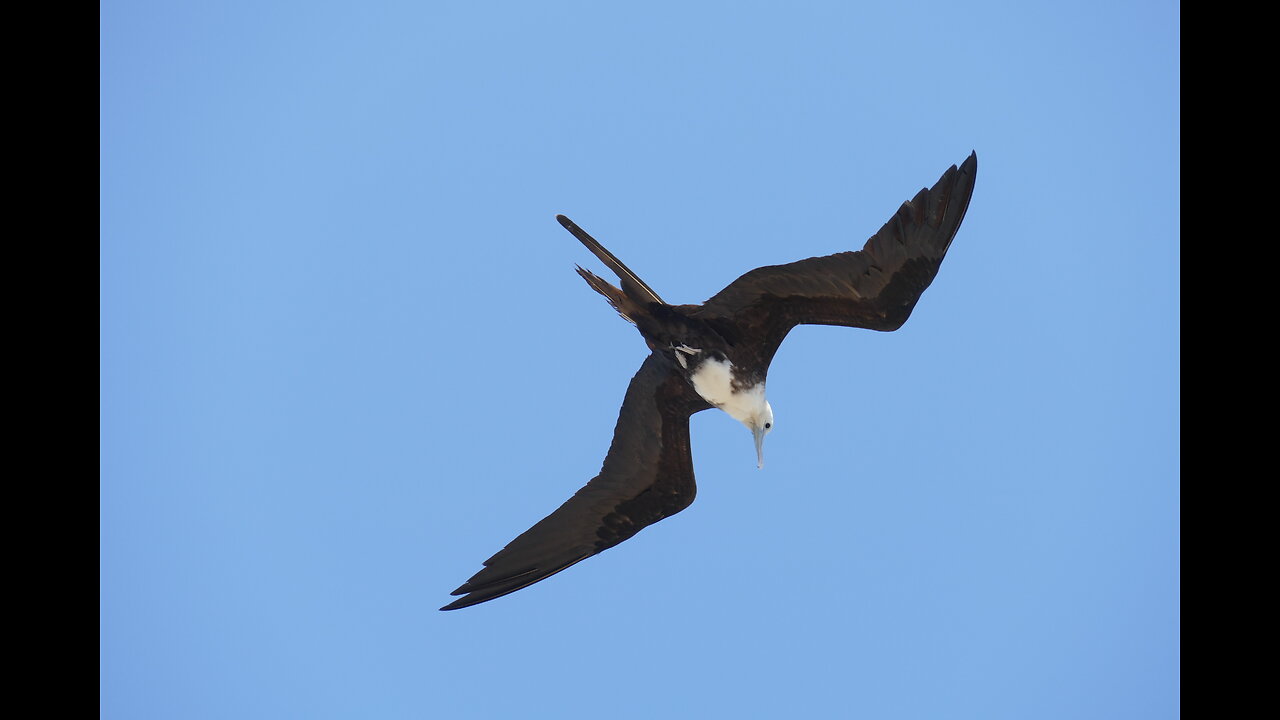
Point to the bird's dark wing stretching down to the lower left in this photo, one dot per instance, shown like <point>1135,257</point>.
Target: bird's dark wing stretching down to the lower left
<point>647,476</point>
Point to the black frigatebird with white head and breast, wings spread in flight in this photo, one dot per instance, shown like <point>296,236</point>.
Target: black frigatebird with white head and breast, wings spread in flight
<point>717,356</point>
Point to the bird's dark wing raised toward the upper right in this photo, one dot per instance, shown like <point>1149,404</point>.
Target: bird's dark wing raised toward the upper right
<point>876,288</point>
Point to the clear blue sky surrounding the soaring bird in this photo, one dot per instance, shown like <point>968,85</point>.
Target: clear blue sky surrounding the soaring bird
<point>345,358</point>
